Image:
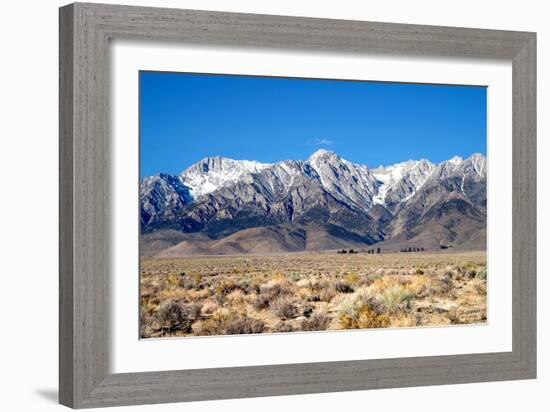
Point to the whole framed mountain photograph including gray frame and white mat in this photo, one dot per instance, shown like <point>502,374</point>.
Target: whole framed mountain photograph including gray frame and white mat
<point>255,205</point>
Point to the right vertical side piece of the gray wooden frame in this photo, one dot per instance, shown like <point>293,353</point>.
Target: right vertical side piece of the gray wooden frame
<point>524,207</point>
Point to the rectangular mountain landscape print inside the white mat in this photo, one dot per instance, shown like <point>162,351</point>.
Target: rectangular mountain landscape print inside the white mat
<point>272,204</point>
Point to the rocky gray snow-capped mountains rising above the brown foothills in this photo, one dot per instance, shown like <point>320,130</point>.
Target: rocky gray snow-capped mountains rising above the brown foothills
<point>220,196</point>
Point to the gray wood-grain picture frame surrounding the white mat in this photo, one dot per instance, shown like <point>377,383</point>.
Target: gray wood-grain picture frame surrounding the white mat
<point>85,31</point>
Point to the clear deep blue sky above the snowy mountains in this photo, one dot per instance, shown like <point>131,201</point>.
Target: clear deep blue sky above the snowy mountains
<point>185,117</point>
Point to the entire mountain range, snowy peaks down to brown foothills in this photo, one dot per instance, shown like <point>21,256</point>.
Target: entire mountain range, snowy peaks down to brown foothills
<point>225,206</point>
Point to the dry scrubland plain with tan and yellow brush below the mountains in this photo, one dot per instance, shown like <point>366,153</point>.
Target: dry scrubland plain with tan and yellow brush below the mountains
<point>221,295</point>
